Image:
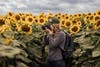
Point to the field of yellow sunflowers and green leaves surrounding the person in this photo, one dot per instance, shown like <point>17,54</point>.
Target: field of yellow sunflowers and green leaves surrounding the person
<point>21,38</point>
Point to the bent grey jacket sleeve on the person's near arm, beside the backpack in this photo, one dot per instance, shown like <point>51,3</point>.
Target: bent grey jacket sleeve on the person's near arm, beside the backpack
<point>54,42</point>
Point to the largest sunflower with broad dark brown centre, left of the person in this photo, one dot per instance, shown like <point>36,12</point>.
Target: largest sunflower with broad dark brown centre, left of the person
<point>25,28</point>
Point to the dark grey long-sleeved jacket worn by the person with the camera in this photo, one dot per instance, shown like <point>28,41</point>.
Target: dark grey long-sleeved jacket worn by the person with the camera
<point>55,41</point>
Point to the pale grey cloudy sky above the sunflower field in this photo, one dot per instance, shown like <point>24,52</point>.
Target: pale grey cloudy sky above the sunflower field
<point>37,6</point>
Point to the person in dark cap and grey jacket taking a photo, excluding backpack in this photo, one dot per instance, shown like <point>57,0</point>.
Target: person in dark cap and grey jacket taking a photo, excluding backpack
<point>55,37</point>
